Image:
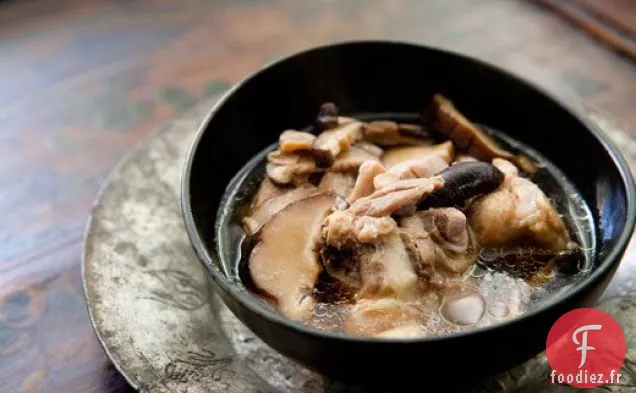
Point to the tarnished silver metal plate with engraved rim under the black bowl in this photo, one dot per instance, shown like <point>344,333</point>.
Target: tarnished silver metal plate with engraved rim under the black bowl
<point>165,331</point>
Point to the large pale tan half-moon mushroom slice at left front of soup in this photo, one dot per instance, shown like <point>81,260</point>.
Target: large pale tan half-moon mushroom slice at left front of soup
<point>284,263</point>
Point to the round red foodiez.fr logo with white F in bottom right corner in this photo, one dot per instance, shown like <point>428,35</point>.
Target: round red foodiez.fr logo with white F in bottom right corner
<point>586,348</point>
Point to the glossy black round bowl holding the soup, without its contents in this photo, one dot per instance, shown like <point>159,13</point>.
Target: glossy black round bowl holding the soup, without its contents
<point>373,77</point>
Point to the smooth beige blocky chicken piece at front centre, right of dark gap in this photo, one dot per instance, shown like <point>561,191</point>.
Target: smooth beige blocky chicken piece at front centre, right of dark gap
<point>386,270</point>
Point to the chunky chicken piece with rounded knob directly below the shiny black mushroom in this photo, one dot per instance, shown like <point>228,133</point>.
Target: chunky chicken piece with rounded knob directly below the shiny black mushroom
<point>438,238</point>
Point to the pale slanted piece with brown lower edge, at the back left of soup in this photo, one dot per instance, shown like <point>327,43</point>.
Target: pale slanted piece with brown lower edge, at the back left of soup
<point>329,144</point>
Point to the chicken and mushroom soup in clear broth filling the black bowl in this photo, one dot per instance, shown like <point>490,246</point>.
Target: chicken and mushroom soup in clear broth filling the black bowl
<point>409,227</point>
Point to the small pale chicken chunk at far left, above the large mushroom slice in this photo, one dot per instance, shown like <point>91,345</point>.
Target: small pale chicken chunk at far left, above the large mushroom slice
<point>289,168</point>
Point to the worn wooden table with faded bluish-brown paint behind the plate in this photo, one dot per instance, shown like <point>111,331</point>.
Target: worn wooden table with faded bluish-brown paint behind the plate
<point>83,81</point>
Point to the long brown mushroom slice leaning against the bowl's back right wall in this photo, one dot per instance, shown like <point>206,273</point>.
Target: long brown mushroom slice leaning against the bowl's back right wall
<point>467,136</point>
